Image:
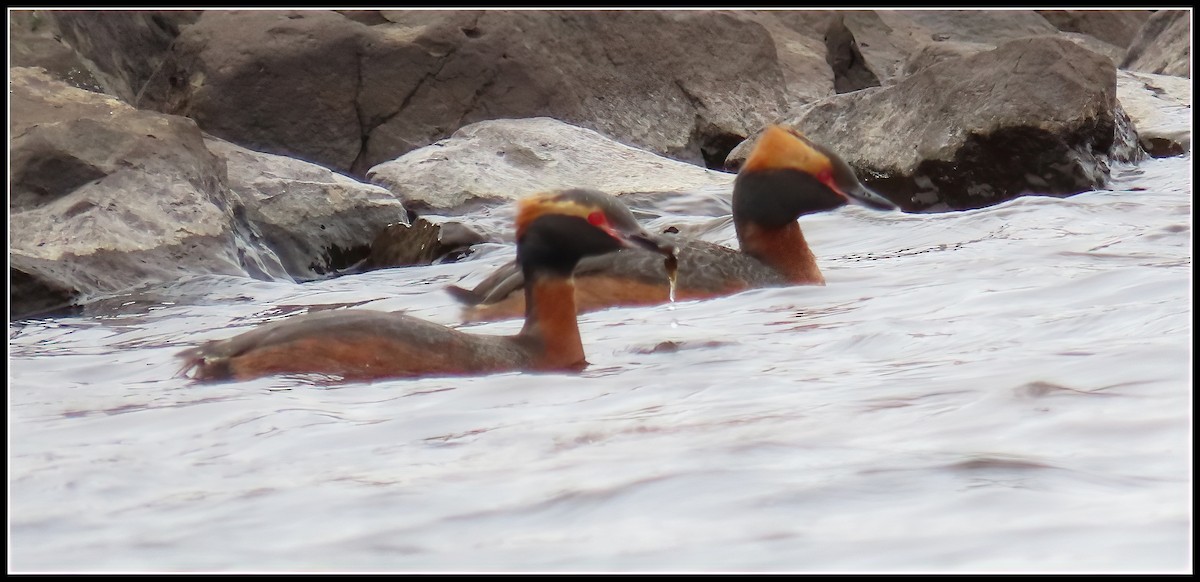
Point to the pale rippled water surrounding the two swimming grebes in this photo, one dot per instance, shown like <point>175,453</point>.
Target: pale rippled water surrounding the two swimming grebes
<point>1006,389</point>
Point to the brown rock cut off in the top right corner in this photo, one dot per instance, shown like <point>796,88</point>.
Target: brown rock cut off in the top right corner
<point>1163,45</point>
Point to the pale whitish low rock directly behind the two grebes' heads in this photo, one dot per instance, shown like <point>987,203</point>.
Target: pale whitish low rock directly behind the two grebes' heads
<point>493,163</point>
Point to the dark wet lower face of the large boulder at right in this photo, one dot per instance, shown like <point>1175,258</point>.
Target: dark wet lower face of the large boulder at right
<point>985,172</point>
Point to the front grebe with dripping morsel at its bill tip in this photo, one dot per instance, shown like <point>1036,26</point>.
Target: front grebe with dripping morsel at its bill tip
<point>554,232</point>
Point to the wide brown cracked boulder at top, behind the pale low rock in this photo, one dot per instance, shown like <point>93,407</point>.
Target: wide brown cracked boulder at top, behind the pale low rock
<point>329,89</point>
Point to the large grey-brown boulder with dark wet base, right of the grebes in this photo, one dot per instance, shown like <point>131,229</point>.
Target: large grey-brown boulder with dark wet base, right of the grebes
<point>1036,116</point>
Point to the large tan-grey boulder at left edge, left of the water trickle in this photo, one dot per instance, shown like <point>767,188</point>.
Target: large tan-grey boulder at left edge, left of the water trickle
<point>105,197</point>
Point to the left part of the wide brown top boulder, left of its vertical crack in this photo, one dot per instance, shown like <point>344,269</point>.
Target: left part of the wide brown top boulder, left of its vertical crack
<point>278,82</point>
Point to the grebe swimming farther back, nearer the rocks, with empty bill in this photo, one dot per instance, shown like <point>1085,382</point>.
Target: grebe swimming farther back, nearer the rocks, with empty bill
<point>785,177</point>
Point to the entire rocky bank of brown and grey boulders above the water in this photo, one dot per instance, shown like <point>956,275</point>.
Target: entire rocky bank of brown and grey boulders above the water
<point>148,146</point>
